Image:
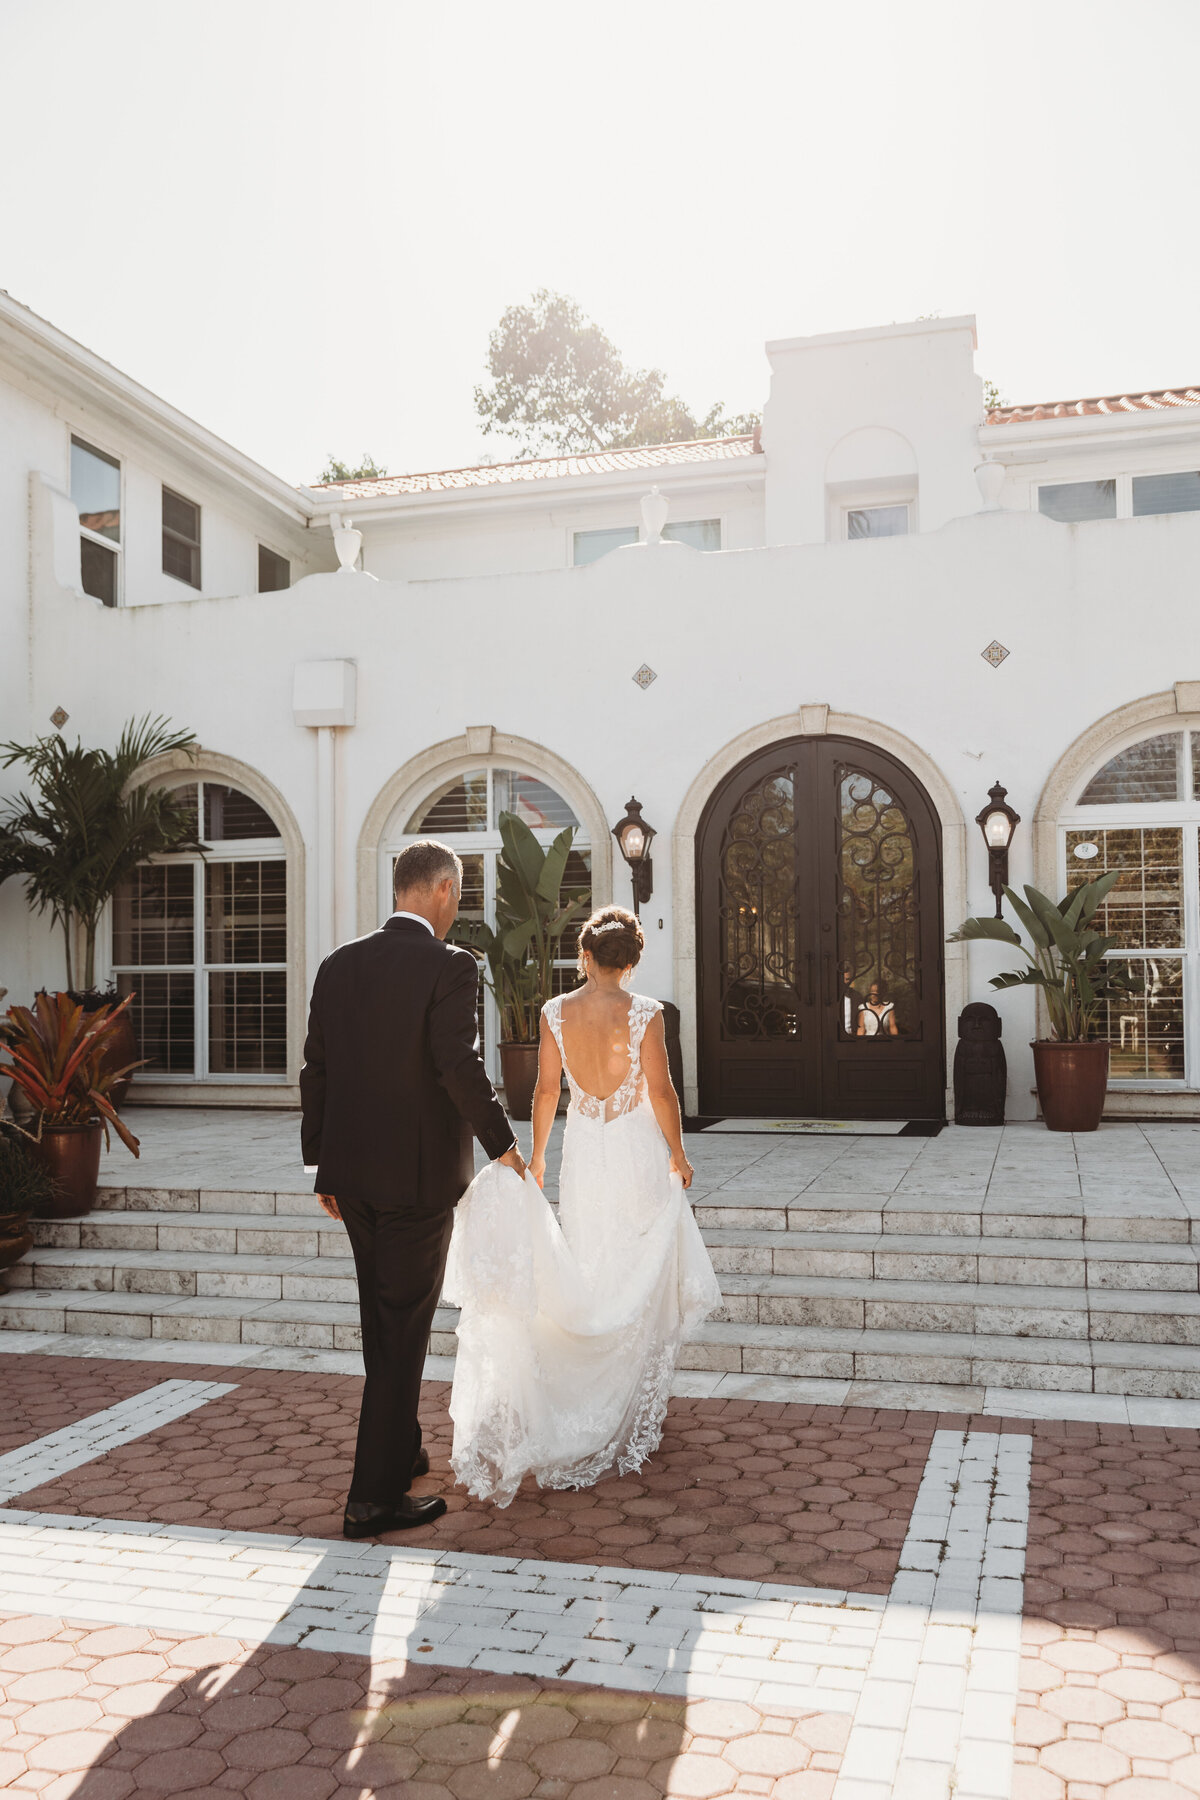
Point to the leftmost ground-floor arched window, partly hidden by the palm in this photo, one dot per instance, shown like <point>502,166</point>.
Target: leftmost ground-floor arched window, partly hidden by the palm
<point>204,946</point>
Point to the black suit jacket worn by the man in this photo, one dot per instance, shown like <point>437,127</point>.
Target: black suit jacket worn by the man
<point>393,1084</point>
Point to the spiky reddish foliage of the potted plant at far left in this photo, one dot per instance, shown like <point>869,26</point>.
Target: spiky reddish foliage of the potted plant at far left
<point>57,1057</point>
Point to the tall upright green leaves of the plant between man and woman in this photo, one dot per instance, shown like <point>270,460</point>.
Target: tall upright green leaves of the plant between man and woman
<point>532,919</point>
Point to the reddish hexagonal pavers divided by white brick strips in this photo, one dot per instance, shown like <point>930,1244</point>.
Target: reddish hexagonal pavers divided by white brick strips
<point>791,1495</point>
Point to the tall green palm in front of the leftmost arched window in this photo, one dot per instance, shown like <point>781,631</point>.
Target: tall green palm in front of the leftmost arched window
<point>85,827</point>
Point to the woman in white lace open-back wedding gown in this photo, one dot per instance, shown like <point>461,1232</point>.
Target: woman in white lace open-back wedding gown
<point>571,1327</point>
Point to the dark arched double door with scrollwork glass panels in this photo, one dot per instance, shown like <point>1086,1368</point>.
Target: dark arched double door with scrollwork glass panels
<point>819,937</point>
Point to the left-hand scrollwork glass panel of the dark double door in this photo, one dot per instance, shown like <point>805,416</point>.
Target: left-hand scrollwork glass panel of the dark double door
<point>758,913</point>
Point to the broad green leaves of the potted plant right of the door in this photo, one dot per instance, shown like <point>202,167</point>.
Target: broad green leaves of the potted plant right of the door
<point>1068,958</point>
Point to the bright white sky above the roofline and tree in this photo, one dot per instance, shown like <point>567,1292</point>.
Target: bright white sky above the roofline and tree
<point>300,222</point>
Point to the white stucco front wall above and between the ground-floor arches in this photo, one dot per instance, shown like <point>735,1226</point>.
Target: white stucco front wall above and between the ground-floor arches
<point>890,631</point>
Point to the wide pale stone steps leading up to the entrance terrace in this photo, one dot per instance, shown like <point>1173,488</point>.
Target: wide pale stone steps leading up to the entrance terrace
<point>845,1288</point>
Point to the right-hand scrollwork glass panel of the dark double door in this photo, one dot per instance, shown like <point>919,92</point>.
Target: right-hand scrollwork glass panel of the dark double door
<point>879,913</point>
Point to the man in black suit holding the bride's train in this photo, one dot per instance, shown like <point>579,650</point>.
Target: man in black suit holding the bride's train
<point>393,1086</point>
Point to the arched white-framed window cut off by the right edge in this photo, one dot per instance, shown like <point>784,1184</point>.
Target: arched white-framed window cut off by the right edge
<point>1140,813</point>
